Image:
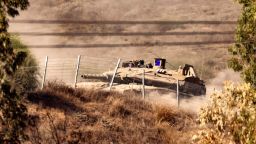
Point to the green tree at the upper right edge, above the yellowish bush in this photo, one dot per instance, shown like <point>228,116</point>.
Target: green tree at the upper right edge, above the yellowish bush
<point>244,57</point>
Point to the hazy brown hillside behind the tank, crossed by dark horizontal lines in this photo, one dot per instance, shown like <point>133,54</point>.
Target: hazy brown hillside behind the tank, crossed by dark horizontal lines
<point>195,31</point>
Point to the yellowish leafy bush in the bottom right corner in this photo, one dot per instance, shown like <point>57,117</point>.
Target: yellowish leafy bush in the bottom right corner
<point>230,118</point>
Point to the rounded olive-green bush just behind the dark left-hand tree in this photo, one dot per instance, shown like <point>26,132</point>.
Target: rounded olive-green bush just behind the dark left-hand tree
<point>26,77</point>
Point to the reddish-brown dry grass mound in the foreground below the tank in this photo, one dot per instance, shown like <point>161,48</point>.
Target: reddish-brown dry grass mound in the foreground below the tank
<point>62,114</point>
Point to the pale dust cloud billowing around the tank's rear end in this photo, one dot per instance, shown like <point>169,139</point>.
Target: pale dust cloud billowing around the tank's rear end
<point>195,103</point>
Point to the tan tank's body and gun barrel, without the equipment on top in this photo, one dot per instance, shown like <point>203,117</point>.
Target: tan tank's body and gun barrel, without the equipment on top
<point>193,86</point>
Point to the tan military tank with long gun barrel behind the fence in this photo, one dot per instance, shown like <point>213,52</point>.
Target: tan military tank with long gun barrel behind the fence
<point>154,75</point>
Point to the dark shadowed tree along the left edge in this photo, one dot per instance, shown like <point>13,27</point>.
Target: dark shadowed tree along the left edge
<point>13,112</point>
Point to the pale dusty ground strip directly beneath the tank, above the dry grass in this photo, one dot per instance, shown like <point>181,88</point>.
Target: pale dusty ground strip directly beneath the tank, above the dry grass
<point>154,95</point>
